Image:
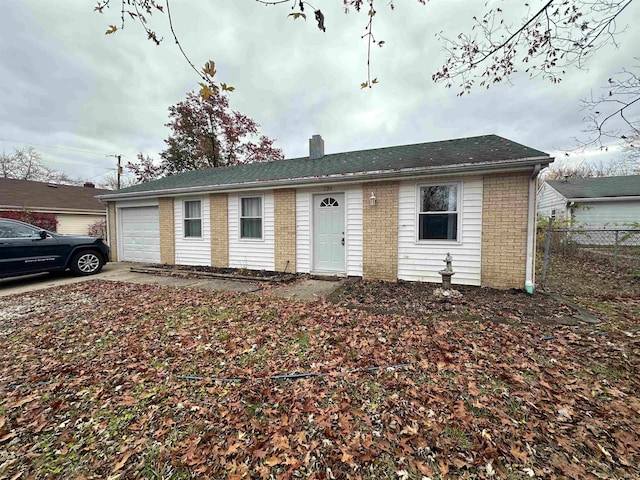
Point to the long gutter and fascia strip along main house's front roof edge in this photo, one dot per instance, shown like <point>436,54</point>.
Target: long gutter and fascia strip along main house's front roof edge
<point>479,167</point>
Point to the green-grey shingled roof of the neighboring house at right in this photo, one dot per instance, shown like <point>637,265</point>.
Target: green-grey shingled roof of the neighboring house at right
<point>624,186</point>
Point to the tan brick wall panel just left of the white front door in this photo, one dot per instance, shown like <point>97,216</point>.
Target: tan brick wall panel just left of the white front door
<point>285,230</point>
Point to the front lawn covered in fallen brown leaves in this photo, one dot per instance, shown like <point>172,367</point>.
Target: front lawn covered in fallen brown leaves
<point>96,381</point>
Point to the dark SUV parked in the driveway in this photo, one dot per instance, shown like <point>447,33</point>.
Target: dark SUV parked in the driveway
<point>27,249</point>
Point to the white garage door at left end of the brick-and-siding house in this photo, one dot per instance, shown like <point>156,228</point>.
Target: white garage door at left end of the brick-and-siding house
<point>140,234</point>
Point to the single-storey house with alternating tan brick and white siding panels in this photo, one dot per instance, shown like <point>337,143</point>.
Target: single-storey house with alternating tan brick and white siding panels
<point>388,213</point>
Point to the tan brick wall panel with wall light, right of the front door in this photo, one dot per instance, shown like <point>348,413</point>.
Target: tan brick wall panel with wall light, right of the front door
<point>380,231</point>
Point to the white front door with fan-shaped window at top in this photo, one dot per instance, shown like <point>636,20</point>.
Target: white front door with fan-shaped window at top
<point>328,232</point>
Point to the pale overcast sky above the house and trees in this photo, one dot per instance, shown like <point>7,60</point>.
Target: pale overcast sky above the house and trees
<point>80,96</point>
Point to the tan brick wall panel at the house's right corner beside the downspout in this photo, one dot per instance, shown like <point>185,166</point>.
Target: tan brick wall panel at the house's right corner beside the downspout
<point>504,230</point>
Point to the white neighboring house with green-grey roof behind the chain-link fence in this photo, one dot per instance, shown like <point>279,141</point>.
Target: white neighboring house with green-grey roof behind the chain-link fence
<point>593,202</point>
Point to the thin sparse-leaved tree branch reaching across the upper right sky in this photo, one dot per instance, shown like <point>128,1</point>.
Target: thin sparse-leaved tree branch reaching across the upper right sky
<point>558,35</point>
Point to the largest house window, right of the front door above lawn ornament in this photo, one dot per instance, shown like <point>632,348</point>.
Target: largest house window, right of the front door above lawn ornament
<point>438,212</point>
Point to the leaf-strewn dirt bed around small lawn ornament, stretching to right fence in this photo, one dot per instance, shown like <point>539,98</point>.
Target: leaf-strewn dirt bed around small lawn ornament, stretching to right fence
<point>575,291</point>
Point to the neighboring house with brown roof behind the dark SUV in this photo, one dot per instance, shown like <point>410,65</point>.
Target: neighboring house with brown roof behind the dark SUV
<point>75,208</point>
